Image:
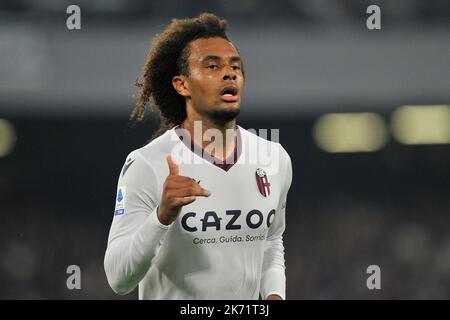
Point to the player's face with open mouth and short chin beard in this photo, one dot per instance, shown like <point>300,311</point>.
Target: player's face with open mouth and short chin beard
<point>215,80</point>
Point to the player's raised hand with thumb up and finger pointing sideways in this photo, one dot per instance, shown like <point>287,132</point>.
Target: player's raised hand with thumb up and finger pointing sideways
<point>178,191</point>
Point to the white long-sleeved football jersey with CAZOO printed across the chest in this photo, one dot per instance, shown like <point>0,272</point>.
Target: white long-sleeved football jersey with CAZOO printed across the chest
<point>225,246</point>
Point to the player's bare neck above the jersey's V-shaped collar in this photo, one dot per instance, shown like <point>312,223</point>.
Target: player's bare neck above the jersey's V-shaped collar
<point>218,139</point>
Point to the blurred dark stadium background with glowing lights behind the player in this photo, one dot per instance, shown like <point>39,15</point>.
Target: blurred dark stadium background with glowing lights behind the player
<point>364,114</point>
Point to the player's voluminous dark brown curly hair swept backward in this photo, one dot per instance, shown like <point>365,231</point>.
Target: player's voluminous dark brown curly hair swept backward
<point>168,58</point>
